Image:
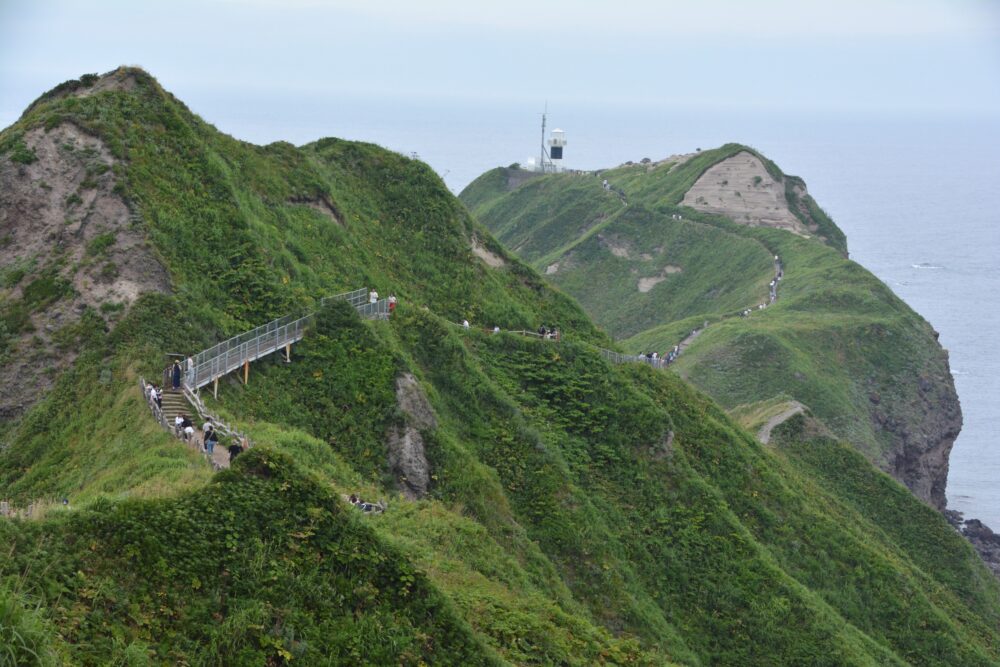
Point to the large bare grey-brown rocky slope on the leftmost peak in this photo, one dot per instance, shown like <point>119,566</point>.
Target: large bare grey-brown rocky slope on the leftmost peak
<point>68,243</point>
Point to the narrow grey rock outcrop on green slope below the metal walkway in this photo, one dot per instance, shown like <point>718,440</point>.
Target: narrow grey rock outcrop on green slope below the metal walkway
<point>407,458</point>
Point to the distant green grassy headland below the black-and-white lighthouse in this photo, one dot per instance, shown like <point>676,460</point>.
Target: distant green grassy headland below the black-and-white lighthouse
<point>837,339</point>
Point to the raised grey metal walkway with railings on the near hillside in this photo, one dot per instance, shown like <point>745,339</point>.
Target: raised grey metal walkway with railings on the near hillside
<point>231,354</point>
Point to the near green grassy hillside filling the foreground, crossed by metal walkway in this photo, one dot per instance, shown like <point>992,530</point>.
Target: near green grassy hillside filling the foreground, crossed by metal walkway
<point>576,513</point>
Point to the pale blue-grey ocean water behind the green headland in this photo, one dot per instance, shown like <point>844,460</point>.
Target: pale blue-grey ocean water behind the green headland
<point>919,200</point>
